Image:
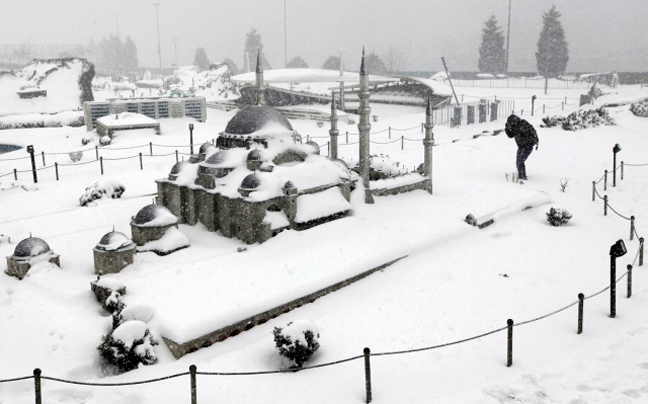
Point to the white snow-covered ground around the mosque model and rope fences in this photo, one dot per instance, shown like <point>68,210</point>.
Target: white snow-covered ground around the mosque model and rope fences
<point>455,282</point>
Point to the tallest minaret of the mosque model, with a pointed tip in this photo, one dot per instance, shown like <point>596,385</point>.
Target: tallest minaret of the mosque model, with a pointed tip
<point>364,127</point>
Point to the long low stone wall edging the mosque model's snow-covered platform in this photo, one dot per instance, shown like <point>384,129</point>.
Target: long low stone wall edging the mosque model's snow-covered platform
<point>179,349</point>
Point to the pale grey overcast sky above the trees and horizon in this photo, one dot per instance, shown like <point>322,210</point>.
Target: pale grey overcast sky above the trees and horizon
<point>603,35</point>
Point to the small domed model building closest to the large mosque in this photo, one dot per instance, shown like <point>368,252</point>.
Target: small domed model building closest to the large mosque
<point>155,229</point>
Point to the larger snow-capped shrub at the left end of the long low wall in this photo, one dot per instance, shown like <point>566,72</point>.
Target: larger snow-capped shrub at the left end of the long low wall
<point>128,345</point>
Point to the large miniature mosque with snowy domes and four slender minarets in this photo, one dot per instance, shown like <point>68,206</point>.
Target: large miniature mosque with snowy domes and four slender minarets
<point>261,179</point>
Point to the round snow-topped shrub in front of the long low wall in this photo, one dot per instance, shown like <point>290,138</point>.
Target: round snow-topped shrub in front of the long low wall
<point>298,341</point>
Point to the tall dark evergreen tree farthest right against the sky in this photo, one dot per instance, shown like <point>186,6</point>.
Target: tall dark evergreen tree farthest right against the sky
<point>552,55</point>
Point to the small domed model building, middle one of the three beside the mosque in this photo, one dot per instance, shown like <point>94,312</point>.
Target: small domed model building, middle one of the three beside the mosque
<point>113,252</point>
